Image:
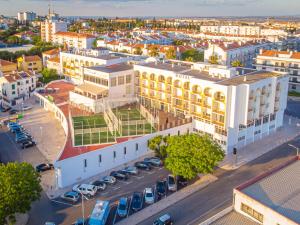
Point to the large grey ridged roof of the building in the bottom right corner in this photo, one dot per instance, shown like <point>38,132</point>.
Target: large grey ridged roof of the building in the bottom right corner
<point>279,191</point>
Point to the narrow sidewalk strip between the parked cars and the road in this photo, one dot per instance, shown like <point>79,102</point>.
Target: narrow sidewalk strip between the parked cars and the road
<point>170,200</point>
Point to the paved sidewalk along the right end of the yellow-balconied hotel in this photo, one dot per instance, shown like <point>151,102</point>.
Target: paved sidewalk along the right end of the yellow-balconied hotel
<point>288,132</point>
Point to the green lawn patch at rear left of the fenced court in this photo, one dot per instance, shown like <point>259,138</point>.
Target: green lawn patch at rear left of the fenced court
<point>95,121</point>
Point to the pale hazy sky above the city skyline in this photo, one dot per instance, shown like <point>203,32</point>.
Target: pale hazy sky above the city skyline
<point>166,8</point>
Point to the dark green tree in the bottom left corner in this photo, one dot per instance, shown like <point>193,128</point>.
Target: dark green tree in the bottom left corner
<point>19,187</point>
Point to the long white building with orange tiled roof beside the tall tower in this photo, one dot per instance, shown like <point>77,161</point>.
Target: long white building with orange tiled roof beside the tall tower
<point>74,40</point>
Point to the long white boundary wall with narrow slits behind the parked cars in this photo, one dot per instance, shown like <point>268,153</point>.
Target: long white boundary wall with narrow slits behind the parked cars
<point>73,170</point>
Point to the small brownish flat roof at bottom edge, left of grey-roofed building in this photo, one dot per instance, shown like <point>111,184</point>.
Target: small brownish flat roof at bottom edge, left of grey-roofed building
<point>234,218</point>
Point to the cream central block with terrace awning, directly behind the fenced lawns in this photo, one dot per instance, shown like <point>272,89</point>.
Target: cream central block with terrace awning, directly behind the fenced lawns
<point>104,83</point>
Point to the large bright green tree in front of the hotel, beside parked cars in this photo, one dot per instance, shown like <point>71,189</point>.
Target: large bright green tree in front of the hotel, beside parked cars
<point>191,154</point>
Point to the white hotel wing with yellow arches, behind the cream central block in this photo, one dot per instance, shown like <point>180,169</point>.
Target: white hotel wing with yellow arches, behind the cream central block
<point>73,62</point>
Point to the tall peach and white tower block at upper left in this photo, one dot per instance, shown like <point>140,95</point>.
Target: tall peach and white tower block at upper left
<point>50,27</point>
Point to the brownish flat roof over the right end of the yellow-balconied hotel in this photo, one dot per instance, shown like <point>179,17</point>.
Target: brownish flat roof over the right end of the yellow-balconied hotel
<point>249,78</point>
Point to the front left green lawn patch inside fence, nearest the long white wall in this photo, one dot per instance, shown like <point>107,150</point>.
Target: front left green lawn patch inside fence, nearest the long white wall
<point>93,138</point>
